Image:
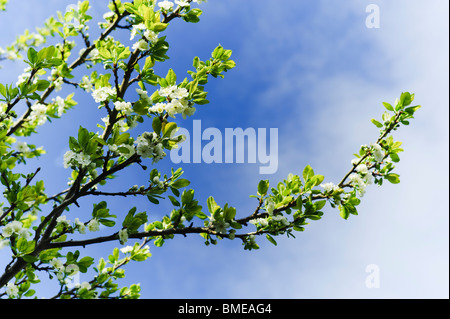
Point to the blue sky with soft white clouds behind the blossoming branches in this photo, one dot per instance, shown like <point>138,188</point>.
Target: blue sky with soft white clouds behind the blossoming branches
<point>313,70</point>
